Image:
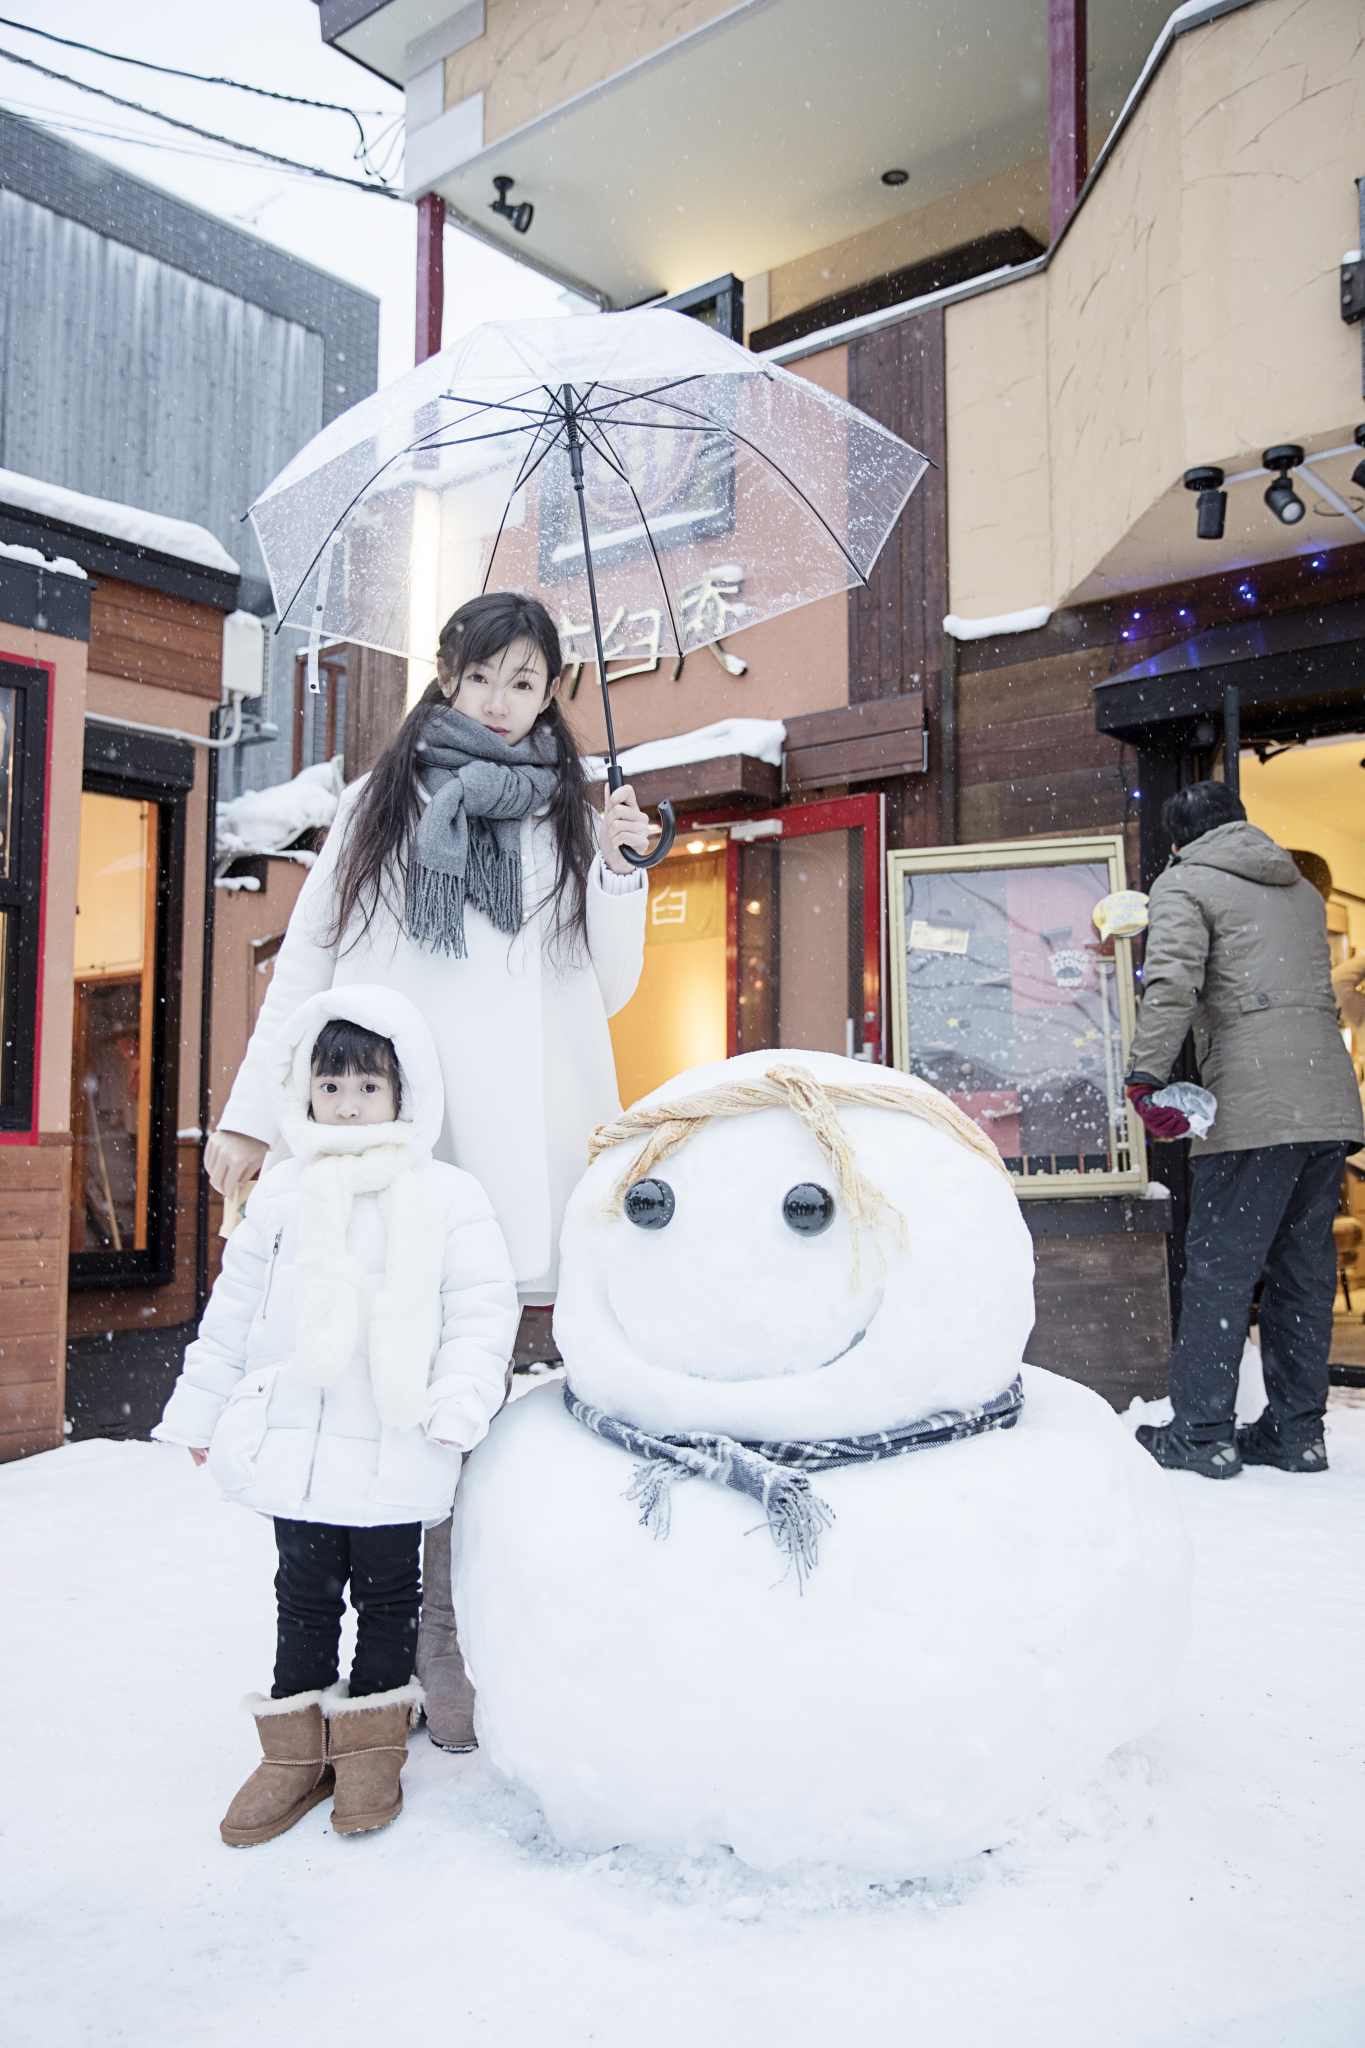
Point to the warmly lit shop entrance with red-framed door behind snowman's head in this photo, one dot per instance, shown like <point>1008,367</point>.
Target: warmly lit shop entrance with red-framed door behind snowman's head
<point>760,933</point>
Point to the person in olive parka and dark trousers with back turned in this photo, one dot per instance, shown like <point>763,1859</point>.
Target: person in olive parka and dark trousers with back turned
<point>1237,951</point>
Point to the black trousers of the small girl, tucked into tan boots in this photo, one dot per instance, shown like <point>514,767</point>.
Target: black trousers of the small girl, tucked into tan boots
<point>384,1570</point>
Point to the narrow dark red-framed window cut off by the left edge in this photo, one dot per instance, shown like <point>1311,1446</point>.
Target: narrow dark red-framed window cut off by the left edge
<point>21,898</point>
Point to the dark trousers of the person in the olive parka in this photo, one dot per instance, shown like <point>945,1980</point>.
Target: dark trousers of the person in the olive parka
<point>1266,1211</point>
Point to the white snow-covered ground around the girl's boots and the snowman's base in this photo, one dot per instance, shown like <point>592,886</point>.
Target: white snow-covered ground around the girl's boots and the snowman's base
<point>1202,1893</point>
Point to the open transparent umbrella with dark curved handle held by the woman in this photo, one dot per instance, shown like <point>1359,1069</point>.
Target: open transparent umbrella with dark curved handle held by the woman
<point>652,482</point>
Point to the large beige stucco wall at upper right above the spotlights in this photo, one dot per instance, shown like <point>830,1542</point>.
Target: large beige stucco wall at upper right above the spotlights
<point>1190,316</point>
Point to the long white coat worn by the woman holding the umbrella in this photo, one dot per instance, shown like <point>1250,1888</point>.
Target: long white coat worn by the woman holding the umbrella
<point>523,1041</point>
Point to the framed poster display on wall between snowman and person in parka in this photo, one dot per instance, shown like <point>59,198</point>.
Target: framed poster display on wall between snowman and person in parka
<point>1006,998</point>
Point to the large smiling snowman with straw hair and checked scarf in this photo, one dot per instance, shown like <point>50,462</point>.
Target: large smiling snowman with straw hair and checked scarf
<point>803,1560</point>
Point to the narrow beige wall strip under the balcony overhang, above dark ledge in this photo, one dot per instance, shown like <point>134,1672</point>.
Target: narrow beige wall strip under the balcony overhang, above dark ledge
<point>1016,200</point>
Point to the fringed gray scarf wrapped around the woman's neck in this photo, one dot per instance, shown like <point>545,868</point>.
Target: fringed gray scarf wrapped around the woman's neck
<point>468,847</point>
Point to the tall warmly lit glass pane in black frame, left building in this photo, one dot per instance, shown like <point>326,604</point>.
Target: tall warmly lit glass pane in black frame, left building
<point>114,1066</point>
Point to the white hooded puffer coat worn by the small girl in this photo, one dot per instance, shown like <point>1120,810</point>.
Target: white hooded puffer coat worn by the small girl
<point>359,1336</point>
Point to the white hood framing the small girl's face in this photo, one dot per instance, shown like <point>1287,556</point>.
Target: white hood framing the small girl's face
<point>390,1017</point>
